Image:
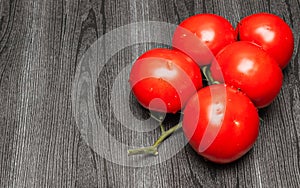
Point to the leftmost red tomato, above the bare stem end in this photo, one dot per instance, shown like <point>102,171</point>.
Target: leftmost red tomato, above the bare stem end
<point>163,79</point>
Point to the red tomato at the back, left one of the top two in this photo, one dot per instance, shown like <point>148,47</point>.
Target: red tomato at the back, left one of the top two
<point>202,36</point>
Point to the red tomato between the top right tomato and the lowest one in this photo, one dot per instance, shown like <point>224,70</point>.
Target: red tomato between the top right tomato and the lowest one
<point>246,66</point>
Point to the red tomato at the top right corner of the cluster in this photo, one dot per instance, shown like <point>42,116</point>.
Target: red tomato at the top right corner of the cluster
<point>270,32</point>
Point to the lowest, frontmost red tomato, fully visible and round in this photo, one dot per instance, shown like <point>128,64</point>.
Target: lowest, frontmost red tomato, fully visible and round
<point>221,123</point>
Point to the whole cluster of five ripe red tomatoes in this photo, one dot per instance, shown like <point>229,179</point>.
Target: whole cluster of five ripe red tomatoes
<point>242,70</point>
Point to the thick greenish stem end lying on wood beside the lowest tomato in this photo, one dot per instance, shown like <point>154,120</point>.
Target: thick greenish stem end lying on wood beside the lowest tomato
<point>152,150</point>
